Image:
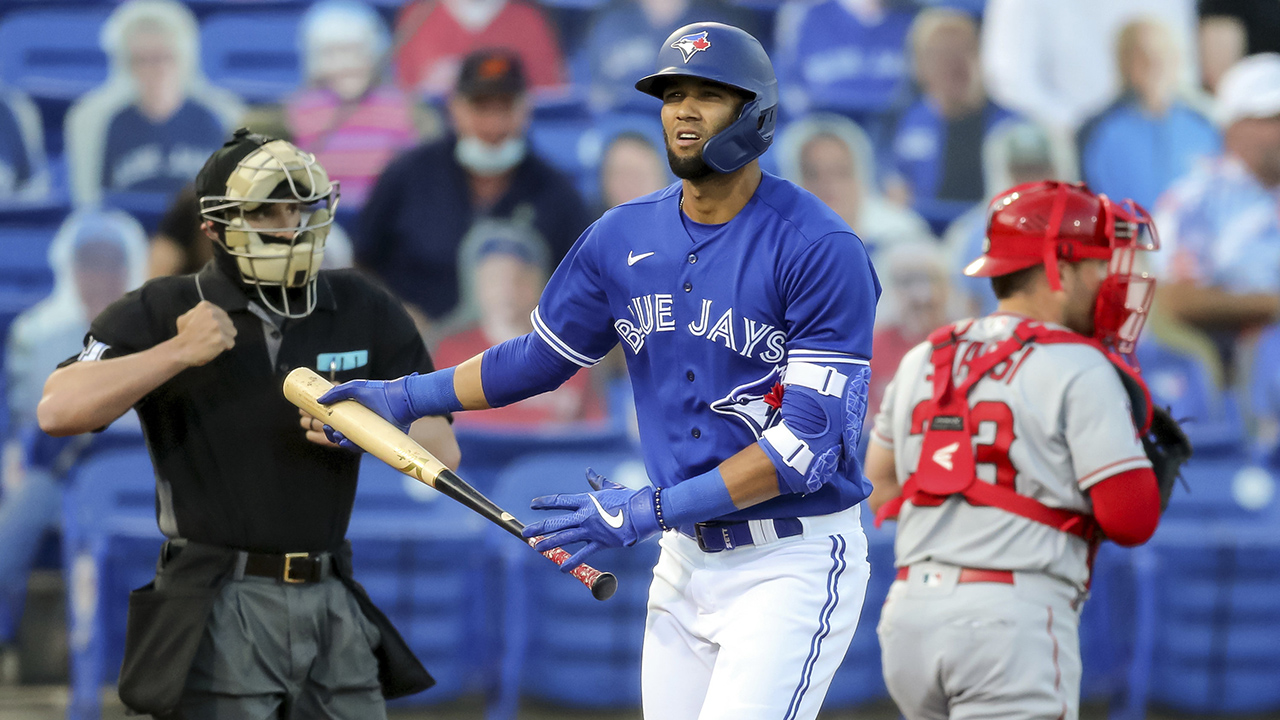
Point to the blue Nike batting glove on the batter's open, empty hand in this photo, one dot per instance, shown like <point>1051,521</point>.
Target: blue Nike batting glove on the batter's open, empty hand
<point>611,517</point>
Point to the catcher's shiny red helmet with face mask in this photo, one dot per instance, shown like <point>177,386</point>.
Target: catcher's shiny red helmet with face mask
<point>1041,224</point>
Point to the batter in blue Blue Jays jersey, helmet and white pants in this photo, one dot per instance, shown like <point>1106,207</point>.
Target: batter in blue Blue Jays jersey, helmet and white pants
<point>746,311</point>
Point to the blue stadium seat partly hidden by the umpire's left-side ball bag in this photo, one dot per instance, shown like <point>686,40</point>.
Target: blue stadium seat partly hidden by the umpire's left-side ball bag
<point>111,544</point>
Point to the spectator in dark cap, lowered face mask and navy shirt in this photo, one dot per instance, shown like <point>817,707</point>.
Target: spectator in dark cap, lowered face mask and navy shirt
<point>429,198</point>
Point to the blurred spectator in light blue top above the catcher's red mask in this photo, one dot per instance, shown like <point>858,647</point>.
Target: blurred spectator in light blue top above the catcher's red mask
<point>1149,138</point>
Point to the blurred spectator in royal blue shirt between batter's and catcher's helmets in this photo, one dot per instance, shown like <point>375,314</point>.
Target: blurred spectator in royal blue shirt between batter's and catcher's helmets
<point>935,144</point>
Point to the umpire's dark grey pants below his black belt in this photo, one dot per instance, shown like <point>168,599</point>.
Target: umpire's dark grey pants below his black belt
<point>281,651</point>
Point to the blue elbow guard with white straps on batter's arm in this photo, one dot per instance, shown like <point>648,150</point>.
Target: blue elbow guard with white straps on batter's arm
<point>822,418</point>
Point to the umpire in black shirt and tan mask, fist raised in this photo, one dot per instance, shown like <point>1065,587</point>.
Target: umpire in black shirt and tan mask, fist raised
<point>254,612</point>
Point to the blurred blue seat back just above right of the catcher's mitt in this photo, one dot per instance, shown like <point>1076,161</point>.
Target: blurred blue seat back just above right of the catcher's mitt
<point>1180,381</point>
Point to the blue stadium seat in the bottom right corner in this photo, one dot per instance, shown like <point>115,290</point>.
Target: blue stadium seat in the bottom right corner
<point>1218,618</point>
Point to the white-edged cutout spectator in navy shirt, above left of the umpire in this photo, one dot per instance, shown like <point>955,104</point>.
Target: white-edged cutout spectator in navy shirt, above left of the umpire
<point>149,129</point>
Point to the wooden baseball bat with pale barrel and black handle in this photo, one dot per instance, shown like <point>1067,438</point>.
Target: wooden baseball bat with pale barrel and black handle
<point>388,444</point>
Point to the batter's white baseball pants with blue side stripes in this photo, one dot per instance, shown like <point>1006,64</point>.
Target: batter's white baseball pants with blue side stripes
<point>755,632</point>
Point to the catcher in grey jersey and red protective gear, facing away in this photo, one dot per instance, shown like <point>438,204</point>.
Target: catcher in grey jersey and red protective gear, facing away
<point>1008,448</point>
